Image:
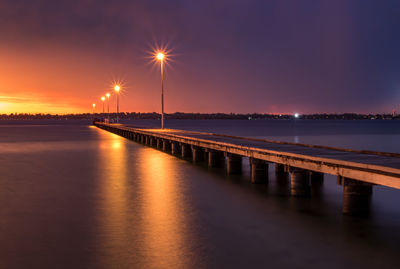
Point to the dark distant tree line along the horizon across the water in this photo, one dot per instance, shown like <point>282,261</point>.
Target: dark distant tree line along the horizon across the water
<point>200,116</point>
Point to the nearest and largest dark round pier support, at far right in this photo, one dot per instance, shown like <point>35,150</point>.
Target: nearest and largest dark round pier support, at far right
<point>356,197</point>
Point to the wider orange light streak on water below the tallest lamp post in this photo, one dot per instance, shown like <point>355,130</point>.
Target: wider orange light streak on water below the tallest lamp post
<point>163,210</point>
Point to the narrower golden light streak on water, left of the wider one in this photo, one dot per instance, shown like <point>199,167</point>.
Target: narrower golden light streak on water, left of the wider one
<point>114,202</point>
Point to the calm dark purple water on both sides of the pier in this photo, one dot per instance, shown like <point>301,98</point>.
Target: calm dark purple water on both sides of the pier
<point>74,196</point>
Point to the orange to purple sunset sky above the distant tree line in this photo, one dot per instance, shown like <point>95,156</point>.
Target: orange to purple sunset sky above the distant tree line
<point>275,56</point>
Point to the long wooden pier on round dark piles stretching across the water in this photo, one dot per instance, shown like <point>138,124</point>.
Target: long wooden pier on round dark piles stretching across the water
<point>303,165</point>
